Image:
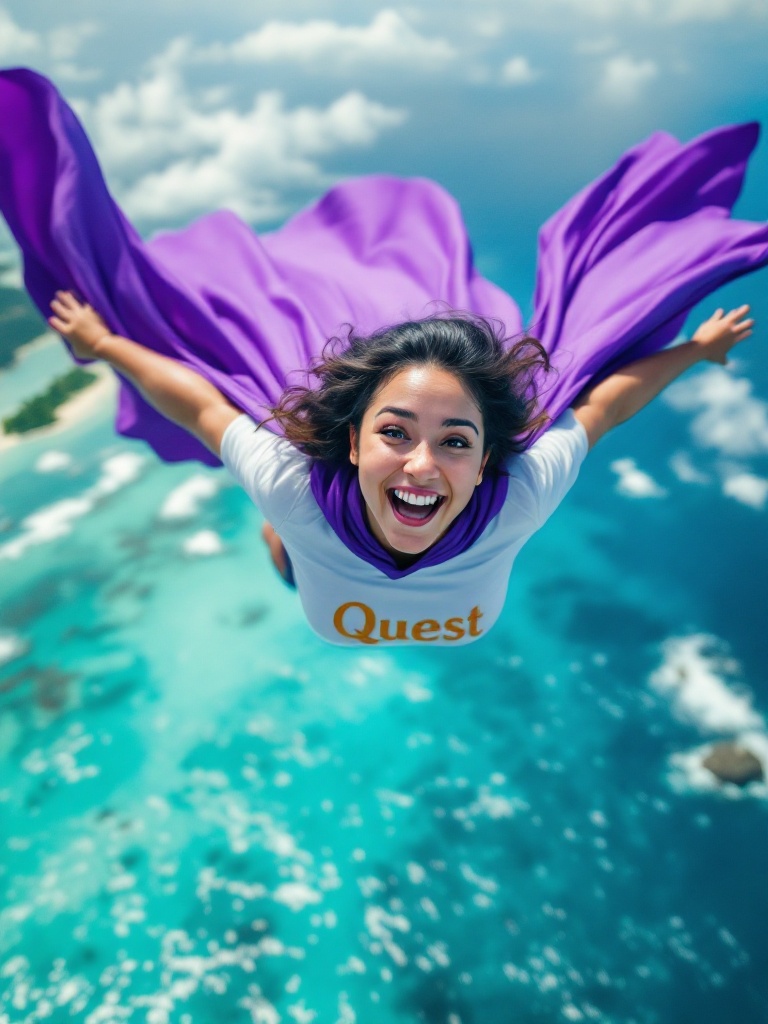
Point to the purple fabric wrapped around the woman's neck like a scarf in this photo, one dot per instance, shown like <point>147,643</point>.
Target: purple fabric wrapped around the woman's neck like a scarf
<point>338,495</point>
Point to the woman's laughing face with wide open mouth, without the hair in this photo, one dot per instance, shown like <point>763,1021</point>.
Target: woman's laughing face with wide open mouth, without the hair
<point>419,457</point>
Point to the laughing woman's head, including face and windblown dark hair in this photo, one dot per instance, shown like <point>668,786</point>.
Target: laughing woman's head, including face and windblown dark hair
<point>420,410</point>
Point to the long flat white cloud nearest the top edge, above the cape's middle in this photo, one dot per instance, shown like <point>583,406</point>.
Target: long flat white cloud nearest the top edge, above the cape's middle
<point>389,39</point>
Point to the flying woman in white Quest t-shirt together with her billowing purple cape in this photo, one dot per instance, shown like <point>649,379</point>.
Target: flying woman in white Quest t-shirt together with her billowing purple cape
<point>226,318</point>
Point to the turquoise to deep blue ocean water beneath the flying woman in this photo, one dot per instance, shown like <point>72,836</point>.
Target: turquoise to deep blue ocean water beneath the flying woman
<point>209,815</point>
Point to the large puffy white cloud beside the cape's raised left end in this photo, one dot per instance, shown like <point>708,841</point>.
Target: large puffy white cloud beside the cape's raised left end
<point>180,154</point>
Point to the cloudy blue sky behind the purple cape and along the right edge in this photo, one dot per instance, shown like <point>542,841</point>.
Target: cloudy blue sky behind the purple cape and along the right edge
<point>513,107</point>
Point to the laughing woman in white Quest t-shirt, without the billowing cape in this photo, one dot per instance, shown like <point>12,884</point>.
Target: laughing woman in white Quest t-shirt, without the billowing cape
<point>421,412</point>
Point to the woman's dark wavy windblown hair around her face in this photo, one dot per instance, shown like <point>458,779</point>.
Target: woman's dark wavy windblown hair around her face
<point>499,373</point>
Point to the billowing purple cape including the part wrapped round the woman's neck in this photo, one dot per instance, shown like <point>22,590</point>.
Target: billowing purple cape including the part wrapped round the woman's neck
<point>619,269</point>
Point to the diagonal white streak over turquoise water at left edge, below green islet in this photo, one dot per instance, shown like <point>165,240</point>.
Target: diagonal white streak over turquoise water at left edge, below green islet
<point>57,521</point>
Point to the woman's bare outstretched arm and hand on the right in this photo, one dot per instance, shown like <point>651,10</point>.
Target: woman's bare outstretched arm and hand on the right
<point>630,390</point>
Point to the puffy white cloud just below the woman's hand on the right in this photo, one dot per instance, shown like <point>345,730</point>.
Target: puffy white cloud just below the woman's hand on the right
<point>728,416</point>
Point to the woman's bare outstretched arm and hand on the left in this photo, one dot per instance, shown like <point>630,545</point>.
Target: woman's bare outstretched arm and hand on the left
<point>178,393</point>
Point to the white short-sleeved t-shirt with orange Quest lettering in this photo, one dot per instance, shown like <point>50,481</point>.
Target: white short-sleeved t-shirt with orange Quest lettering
<point>349,602</point>
